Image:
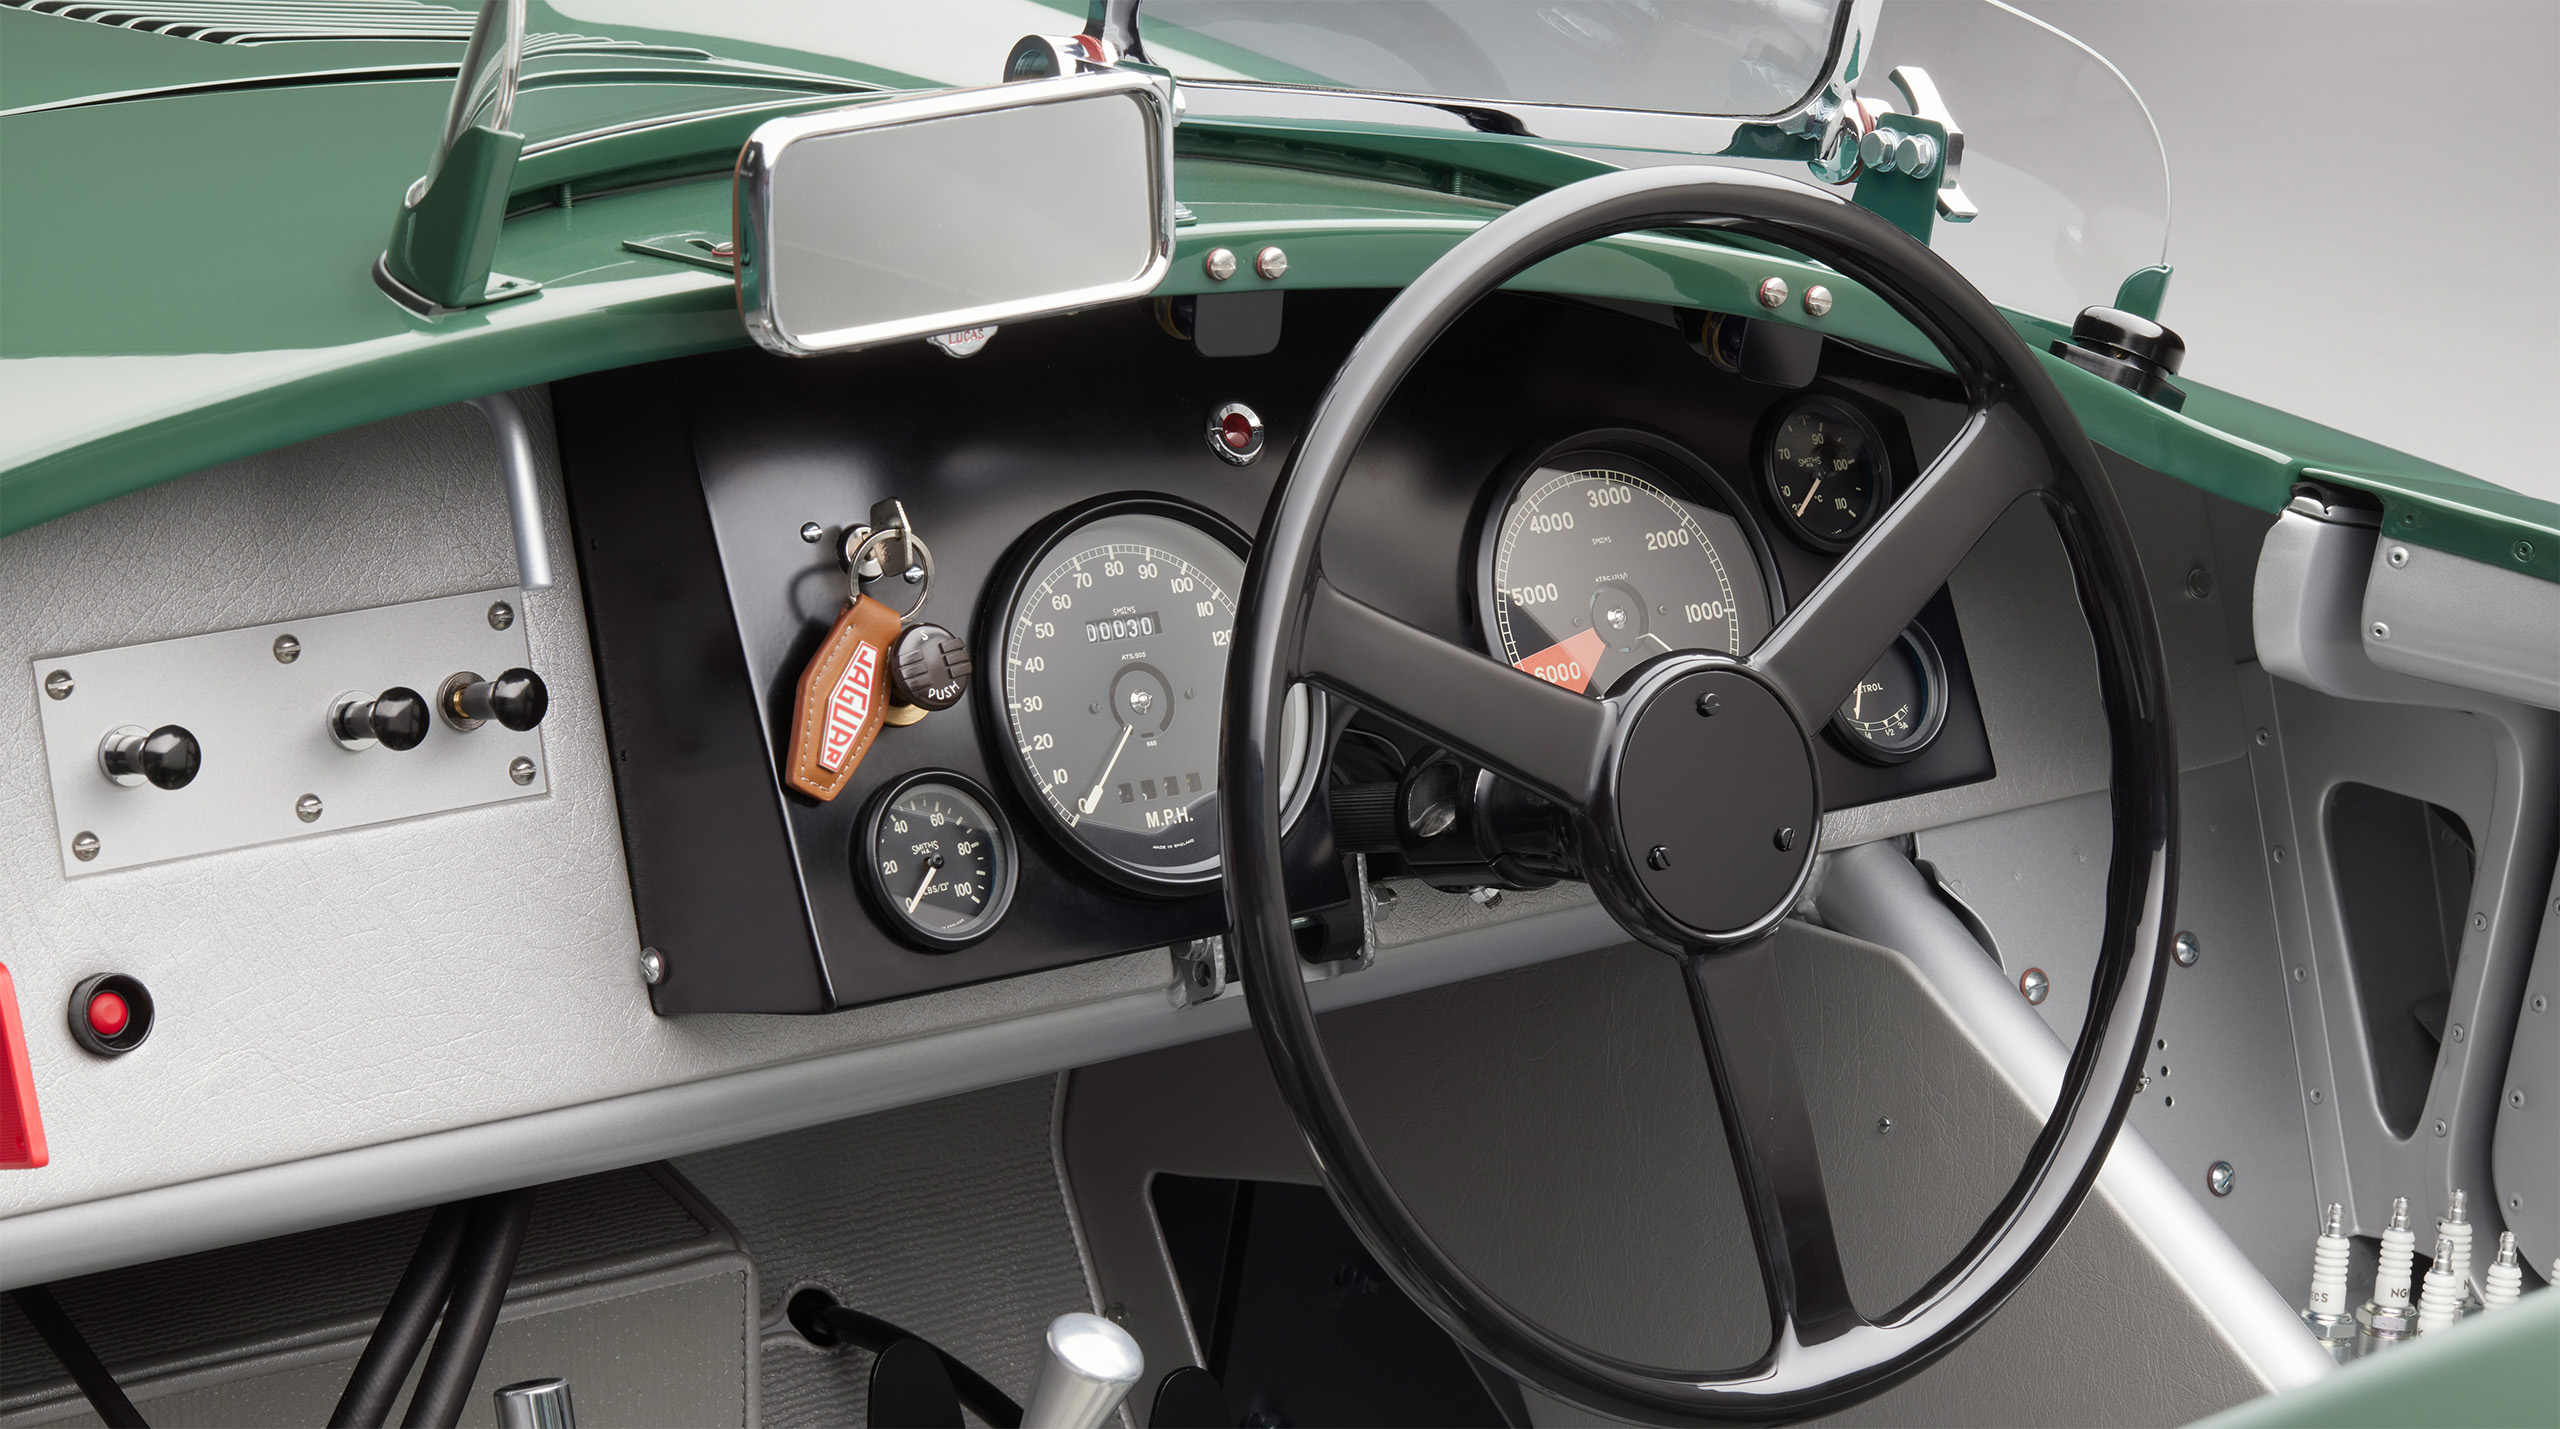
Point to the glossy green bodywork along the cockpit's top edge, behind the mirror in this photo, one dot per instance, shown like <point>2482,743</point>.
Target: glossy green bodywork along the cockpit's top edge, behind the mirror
<point>188,278</point>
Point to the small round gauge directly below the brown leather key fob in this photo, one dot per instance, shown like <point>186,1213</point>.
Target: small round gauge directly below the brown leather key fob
<point>938,859</point>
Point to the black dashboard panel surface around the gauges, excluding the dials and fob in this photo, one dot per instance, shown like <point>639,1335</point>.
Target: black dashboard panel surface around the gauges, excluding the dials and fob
<point>690,485</point>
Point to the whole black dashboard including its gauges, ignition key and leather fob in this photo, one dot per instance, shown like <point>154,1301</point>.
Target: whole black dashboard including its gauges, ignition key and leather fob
<point>1051,537</point>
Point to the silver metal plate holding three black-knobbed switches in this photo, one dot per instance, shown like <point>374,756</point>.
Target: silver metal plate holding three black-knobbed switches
<point>270,764</point>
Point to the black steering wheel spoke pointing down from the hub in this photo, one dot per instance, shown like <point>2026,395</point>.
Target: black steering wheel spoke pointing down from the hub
<point>1770,1131</point>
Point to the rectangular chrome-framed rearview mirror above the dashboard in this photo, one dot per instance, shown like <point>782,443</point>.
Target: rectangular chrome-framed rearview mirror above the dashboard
<point>936,214</point>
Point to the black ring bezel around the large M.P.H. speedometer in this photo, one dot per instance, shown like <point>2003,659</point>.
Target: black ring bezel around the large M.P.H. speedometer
<point>1030,557</point>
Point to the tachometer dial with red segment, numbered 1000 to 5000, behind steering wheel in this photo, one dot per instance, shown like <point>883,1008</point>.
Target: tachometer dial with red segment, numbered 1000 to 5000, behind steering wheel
<point>1601,560</point>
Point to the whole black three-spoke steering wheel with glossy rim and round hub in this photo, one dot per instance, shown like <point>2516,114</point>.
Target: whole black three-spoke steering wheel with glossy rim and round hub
<point>1711,762</point>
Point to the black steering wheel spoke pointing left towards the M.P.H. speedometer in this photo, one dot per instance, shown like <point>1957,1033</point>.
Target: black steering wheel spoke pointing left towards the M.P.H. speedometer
<point>1514,723</point>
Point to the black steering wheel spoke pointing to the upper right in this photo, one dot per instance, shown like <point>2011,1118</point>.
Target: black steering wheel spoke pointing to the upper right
<point>1837,634</point>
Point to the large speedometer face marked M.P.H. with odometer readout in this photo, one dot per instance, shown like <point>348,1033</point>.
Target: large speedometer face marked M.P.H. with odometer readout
<point>1115,665</point>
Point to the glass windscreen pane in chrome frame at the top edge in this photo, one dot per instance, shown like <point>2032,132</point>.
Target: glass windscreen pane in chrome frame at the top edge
<point>1701,58</point>
